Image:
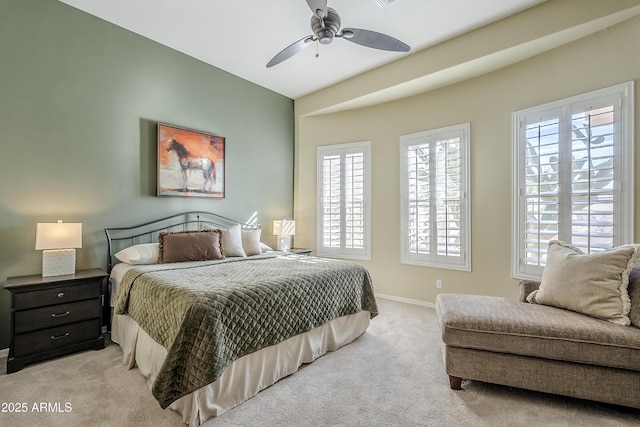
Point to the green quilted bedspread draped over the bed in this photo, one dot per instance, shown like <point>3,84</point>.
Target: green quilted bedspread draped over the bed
<point>208,314</point>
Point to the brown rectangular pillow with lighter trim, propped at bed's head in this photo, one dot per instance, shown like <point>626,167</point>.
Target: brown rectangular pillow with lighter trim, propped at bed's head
<point>184,246</point>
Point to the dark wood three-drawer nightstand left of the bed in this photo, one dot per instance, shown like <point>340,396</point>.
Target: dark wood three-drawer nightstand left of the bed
<point>53,316</point>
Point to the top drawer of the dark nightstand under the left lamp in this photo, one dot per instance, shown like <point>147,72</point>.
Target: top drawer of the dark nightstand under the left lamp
<point>59,295</point>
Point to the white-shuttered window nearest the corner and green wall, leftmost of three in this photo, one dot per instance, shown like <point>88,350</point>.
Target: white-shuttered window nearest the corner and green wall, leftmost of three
<point>344,224</point>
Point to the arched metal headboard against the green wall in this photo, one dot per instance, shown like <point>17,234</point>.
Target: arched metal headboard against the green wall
<point>119,238</point>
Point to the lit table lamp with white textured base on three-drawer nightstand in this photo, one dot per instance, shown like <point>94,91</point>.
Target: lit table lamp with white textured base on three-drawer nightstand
<point>58,241</point>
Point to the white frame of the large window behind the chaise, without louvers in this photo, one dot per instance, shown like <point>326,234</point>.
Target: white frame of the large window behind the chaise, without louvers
<point>621,97</point>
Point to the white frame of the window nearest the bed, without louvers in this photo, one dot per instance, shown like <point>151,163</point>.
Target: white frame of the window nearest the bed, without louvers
<point>363,253</point>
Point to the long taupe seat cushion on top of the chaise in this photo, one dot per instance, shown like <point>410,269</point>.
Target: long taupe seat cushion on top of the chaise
<point>507,326</point>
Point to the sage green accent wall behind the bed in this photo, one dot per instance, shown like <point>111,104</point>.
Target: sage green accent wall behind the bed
<point>79,103</point>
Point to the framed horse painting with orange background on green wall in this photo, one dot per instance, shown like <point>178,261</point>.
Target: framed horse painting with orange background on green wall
<point>190,163</point>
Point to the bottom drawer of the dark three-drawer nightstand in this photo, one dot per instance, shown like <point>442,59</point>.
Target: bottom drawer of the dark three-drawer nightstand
<point>61,336</point>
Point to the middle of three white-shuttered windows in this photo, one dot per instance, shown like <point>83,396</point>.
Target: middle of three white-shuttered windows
<point>435,193</point>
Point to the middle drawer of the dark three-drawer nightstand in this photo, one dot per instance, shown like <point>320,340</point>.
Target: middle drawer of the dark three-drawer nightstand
<point>51,316</point>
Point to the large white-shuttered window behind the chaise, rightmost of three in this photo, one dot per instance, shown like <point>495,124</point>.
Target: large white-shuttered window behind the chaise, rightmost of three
<point>573,176</point>
